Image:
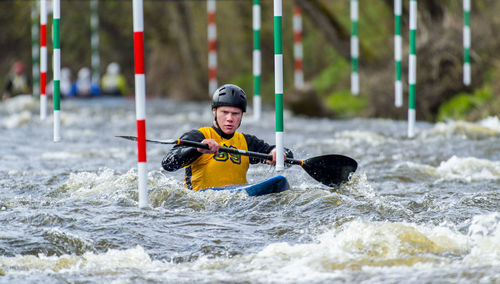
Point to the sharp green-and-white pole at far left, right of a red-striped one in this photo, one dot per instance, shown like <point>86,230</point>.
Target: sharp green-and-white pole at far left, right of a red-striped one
<point>57,68</point>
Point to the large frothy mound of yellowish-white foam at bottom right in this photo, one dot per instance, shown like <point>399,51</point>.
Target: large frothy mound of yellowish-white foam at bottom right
<point>360,244</point>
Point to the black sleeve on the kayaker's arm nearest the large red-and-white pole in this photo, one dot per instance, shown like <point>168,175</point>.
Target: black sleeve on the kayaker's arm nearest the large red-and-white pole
<point>181,156</point>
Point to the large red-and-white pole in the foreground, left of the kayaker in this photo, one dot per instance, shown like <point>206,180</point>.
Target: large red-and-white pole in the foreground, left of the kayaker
<point>140,100</point>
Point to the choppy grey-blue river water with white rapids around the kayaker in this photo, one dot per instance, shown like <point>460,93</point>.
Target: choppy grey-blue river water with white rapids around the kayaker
<point>417,210</point>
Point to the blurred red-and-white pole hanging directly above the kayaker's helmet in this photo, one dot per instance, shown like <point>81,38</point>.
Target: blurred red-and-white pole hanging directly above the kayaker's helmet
<point>212,48</point>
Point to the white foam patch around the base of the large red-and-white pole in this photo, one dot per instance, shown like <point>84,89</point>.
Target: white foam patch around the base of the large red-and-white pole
<point>164,191</point>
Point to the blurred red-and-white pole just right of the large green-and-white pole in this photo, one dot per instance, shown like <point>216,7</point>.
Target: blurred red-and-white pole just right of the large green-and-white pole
<point>297,48</point>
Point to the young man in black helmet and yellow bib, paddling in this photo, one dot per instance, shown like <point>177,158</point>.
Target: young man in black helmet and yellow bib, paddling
<point>206,168</point>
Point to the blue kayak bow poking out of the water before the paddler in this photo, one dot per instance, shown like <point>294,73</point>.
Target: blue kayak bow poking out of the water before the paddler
<point>273,185</point>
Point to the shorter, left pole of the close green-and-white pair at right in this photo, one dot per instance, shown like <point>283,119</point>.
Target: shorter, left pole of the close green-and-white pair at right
<point>398,53</point>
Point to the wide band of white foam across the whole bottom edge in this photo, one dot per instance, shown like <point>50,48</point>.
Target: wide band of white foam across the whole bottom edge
<point>354,246</point>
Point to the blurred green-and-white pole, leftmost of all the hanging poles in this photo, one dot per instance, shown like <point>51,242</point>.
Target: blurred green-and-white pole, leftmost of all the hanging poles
<point>35,51</point>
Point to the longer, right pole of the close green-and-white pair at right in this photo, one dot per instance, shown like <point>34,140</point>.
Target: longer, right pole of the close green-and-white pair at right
<point>412,72</point>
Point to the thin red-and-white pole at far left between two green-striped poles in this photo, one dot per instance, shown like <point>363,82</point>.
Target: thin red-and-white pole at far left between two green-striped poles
<point>43,59</point>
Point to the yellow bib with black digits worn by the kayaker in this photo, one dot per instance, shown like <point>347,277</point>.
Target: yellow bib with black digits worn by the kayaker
<point>218,170</point>
